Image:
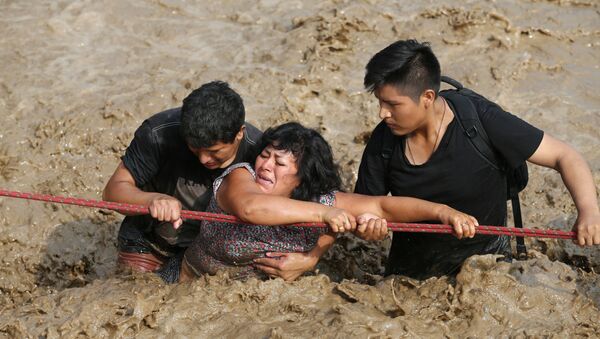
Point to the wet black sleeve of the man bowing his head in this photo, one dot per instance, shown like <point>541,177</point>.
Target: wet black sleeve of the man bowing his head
<point>142,157</point>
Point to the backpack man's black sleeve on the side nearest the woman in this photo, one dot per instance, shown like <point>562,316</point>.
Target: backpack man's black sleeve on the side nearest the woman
<point>372,171</point>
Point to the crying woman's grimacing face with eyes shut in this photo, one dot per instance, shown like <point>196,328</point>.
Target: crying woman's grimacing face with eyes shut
<point>276,171</point>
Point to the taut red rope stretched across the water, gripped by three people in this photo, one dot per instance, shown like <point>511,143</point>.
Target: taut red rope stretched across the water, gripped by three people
<point>195,215</point>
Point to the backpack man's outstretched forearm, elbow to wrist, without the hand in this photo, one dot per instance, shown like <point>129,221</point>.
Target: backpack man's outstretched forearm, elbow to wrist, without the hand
<point>578,179</point>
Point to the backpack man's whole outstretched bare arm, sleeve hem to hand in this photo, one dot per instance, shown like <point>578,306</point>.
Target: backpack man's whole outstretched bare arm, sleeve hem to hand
<point>577,176</point>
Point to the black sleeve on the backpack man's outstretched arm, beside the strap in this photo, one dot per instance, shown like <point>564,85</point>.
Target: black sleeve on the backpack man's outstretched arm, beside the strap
<point>514,138</point>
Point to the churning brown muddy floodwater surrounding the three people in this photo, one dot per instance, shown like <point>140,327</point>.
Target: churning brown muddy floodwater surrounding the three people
<point>77,78</point>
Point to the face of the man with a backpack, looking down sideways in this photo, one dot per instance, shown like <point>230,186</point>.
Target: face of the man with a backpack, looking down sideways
<point>399,111</point>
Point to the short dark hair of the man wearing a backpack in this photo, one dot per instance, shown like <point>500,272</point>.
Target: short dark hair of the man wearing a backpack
<point>408,65</point>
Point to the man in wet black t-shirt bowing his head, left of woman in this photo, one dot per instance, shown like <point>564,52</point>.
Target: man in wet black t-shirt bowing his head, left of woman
<point>170,165</point>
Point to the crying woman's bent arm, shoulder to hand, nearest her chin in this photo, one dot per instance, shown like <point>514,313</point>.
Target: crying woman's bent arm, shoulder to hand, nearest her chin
<point>239,195</point>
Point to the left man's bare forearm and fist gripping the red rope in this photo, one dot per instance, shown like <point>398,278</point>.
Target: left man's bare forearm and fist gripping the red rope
<point>121,187</point>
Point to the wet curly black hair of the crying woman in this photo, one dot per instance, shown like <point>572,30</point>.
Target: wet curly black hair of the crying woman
<point>317,172</point>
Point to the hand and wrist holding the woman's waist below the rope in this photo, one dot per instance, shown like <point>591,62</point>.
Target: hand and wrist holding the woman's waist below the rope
<point>290,266</point>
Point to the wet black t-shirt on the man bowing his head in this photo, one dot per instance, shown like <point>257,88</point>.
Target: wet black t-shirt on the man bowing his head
<point>160,161</point>
